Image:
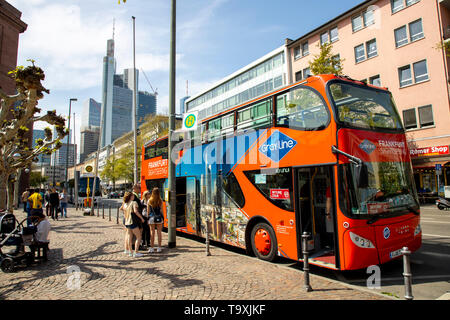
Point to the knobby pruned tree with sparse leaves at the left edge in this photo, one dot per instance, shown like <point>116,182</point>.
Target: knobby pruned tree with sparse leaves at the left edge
<point>18,113</point>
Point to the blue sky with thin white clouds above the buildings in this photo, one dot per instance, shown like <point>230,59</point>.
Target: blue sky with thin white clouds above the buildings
<point>67,38</point>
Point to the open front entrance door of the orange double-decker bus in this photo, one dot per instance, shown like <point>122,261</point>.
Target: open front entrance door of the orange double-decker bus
<point>314,202</point>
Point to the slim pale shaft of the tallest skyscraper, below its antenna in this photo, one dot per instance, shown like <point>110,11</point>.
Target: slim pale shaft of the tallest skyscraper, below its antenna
<point>109,66</point>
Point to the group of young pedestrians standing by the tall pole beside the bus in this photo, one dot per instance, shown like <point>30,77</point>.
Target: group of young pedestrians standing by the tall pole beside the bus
<point>143,218</point>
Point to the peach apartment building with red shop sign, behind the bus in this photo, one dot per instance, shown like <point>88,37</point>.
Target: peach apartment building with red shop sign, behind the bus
<point>395,44</point>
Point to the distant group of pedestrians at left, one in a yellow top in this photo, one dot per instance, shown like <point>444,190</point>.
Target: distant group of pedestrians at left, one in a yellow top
<point>54,202</point>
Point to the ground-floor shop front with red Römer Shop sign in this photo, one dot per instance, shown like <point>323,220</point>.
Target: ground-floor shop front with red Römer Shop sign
<point>430,181</point>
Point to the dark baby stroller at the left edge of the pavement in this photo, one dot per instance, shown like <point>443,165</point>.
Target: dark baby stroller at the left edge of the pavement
<point>14,233</point>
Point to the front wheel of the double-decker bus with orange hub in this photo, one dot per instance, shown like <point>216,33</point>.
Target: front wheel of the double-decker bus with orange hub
<point>264,242</point>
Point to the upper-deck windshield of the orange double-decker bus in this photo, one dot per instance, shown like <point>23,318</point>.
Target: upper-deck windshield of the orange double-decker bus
<point>364,107</point>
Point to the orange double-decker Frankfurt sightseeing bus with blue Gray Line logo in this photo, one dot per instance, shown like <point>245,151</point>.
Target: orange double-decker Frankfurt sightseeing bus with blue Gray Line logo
<point>327,156</point>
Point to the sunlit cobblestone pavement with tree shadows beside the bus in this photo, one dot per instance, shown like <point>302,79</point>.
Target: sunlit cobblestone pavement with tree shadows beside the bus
<point>95,246</point>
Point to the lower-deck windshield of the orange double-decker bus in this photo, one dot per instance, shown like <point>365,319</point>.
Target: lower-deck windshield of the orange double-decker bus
<point>390,190</point>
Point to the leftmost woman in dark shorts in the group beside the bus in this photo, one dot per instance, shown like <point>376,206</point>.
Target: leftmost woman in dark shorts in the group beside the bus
<point>132,219</point>
